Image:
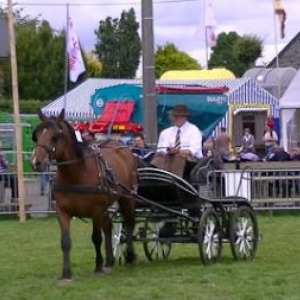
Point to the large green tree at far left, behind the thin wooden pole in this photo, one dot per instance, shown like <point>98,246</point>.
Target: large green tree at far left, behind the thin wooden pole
<point>40,58</point>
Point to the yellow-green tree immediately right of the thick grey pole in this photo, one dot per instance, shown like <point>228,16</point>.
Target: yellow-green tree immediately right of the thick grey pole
<point>168,57</point>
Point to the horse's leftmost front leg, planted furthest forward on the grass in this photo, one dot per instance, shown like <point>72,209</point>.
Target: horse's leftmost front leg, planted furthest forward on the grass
<point>64,221</point>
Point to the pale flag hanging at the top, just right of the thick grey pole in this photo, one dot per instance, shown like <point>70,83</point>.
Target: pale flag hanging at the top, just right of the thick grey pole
<point>210,24</point>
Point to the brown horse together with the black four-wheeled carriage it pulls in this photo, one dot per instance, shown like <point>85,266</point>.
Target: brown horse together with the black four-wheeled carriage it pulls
<point>90,178</point>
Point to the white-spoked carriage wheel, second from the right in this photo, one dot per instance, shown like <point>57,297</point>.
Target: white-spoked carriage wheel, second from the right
<point>209,237</point>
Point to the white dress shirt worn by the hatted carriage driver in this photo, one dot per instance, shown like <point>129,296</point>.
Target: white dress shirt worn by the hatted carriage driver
<point>190,139</point>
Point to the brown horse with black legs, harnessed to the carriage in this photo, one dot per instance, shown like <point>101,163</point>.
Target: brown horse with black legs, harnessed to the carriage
<point>89,179</point>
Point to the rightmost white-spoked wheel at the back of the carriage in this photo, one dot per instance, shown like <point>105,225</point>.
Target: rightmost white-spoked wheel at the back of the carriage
<point>243,235</point>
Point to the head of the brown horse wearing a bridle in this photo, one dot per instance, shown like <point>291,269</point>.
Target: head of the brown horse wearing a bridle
<point>47,136</point>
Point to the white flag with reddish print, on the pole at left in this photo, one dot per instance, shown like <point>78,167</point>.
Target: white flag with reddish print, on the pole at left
<point>75,61</point>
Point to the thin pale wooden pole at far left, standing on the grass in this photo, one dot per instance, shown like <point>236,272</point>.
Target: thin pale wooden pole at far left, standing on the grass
<point>15,94</point>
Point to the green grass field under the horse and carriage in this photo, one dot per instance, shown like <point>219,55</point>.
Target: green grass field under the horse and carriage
<point>30,264</point>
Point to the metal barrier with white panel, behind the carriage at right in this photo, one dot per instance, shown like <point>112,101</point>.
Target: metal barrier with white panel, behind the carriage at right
<point>266,189</point>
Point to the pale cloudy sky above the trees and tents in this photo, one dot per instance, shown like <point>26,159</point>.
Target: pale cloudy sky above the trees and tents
<point>177,21</point>
